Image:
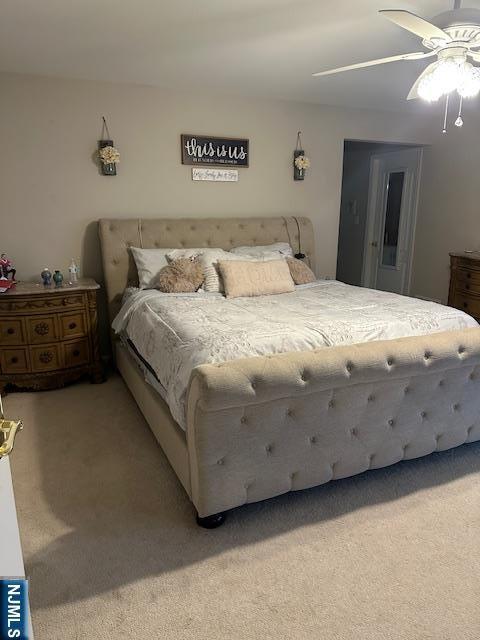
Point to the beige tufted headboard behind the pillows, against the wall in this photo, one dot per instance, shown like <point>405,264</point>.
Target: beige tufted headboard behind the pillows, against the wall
<point>116,236</point>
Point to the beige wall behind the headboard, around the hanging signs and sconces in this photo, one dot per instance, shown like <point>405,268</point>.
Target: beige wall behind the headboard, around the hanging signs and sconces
<point>51,192</point>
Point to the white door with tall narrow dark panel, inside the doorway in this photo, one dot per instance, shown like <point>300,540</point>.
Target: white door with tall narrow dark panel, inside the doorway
<point>391,217</point>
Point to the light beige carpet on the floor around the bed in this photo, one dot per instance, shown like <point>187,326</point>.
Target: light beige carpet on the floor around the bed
<point>112,550</point>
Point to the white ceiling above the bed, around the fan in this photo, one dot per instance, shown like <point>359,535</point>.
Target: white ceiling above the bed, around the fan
<point>256,47</point>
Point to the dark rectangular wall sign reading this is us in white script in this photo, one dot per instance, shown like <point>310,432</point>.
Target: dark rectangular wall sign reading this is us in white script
<point>220,152</point>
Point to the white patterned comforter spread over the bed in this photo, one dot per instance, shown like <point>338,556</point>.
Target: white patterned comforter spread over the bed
<point>177,332</point>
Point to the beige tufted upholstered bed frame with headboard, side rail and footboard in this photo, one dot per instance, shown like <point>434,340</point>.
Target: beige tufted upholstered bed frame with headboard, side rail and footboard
<point>259,427</point>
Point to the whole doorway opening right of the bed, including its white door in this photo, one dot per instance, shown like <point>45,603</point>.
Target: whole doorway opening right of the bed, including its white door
<point>377,215</point>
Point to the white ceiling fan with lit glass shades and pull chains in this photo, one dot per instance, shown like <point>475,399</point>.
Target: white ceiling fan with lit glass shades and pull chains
<point>452,38</point>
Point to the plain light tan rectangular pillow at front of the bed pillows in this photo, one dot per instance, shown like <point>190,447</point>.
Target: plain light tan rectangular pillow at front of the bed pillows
<point>247,278</point>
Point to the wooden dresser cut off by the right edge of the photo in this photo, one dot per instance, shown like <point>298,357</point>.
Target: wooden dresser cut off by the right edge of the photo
<point>464,290</point>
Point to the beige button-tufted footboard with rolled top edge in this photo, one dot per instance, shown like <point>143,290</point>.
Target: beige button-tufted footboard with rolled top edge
<point>259,427</point>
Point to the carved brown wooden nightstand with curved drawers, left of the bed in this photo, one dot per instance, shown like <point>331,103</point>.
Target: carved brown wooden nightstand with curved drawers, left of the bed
<point>48,335</point>
